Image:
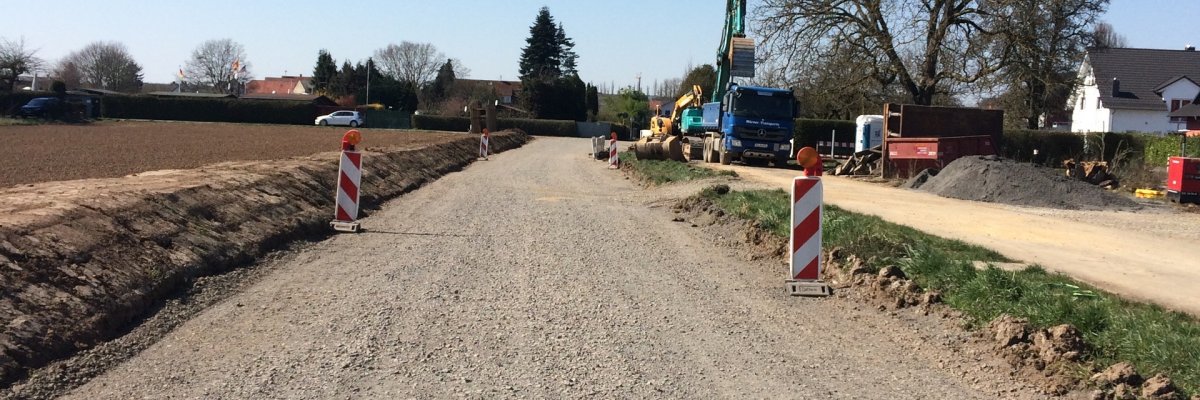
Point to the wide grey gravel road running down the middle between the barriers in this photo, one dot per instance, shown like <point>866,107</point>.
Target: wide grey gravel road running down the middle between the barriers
<point>543,274</point>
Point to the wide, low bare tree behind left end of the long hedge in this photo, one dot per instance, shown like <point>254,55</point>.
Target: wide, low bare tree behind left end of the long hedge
<point>101,65</point>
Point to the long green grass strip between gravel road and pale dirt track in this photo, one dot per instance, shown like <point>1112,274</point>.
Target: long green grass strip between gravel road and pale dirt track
<point>1154,339</point>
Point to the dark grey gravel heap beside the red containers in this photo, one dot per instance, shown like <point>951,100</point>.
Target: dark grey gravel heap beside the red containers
<point>997,181</point>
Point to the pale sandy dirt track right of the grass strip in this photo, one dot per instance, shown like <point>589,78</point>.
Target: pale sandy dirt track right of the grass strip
<point>1149,255</point>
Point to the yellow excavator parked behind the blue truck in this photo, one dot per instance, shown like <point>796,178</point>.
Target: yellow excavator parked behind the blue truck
<point>667,140</point>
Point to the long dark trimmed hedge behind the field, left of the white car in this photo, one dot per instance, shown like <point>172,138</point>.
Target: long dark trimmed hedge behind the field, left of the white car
<point>209,110</point>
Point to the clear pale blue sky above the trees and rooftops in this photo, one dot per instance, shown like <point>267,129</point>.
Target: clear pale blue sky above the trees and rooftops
<point>616,39</point>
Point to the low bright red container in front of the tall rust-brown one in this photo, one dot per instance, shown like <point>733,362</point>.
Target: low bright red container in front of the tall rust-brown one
<point>910,156</point>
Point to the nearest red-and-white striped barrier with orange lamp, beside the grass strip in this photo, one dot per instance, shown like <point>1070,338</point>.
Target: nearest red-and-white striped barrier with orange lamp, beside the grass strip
<point>805,253</point>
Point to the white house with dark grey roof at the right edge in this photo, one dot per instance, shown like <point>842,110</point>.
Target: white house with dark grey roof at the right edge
<point>1135,89</point>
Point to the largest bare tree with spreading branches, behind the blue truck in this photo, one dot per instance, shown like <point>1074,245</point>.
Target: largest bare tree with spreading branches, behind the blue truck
<point>928,47</point>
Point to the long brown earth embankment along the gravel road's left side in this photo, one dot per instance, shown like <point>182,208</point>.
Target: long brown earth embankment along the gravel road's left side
<point>81,260</point>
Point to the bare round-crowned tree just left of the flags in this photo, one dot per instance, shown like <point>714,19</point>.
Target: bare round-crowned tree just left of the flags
<point>213,64</point>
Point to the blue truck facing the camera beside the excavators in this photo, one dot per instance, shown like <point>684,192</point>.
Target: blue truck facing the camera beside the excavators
<point>751,124</point>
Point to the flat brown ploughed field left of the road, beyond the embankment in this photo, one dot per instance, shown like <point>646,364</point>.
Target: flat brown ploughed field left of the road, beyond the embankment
<point>46,153</point>
